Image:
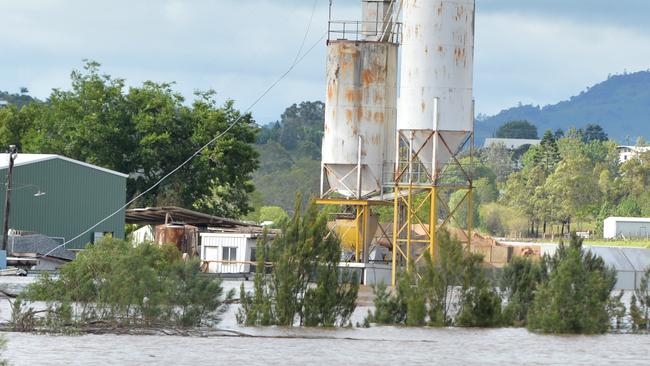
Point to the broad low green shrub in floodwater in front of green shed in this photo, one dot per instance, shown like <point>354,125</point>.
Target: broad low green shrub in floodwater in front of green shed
<point>115,283</point>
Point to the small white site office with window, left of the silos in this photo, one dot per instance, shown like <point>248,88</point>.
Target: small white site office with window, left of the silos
<point>228,252</point>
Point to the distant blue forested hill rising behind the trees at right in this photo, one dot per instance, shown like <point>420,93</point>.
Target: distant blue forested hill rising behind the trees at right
<point>620,104</point>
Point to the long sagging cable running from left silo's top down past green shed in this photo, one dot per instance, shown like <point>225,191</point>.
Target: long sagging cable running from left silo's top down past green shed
<point>197,152</point>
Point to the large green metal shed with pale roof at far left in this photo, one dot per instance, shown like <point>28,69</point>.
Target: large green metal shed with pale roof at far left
<point>76,196</point>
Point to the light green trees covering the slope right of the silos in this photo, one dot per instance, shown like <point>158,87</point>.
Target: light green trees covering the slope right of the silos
<point>570,181</point>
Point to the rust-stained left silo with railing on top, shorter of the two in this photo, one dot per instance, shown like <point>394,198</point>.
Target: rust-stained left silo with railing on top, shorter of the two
<point>360,105</point>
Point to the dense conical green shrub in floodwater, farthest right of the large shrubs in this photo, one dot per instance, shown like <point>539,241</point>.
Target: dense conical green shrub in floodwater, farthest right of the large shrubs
<point>576,296</point>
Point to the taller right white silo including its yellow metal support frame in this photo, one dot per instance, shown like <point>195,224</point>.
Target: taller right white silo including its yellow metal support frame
<point>435,121</point>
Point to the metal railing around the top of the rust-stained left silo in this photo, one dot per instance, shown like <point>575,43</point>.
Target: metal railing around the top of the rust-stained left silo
<point>354,30</point>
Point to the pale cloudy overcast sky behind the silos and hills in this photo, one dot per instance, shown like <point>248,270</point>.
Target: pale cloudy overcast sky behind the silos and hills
<point>529,51</point>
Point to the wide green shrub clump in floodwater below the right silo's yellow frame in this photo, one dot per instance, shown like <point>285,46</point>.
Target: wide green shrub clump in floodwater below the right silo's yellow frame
<point>451,288</point>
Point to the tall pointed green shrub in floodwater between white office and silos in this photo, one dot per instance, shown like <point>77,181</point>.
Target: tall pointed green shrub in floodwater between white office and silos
<point>303,253</point>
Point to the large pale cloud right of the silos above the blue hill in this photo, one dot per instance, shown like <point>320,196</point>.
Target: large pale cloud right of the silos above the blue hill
<point>542,60</point>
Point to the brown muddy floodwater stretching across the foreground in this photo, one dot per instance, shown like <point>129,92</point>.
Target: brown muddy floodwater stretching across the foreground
<point>348,346</point>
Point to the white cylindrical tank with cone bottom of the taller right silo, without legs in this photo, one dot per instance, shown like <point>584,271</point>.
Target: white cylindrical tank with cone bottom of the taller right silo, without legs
<point>436,77</point>
